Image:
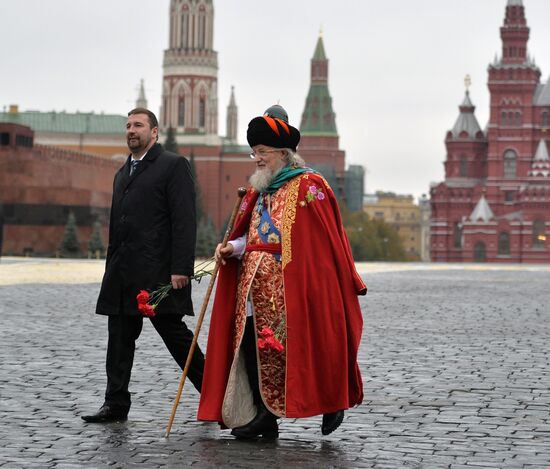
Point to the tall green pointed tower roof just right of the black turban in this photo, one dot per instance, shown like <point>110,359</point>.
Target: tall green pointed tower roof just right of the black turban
<point>318,118</point>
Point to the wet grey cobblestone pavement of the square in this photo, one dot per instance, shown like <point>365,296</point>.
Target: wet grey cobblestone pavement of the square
<point>455,365</point>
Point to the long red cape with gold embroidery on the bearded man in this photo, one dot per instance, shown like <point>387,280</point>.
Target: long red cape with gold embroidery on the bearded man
<point>324,320</point>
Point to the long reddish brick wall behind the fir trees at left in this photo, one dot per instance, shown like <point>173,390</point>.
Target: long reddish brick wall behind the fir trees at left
<point>50,176</point>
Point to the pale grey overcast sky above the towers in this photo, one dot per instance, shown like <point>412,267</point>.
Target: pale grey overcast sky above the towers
<point>396,66</point>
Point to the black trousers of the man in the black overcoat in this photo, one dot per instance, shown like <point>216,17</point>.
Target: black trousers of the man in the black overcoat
<point>123,333</point>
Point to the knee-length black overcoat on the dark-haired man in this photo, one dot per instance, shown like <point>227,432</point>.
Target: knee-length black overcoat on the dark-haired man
<point>152,234</point>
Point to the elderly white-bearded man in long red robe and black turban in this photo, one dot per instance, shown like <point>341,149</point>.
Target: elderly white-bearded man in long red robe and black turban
<point>286,321</point>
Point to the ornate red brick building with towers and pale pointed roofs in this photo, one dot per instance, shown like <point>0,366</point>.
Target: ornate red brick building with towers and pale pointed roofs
<point>494,204</point>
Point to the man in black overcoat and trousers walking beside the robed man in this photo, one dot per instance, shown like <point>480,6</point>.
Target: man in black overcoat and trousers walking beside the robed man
<point>152,234</point>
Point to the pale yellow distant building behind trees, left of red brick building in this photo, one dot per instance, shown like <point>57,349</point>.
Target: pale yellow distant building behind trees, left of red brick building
<point>401,213</point>
